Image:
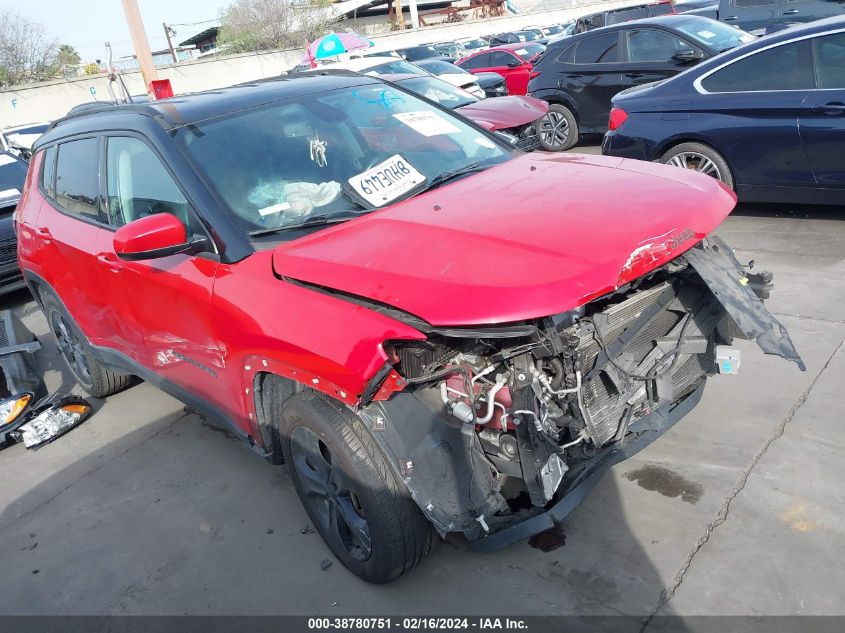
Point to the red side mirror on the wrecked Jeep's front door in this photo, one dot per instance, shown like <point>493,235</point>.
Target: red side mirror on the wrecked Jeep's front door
<point>154,236</point>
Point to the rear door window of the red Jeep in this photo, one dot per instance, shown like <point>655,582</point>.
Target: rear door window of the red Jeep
<point>78,177</point>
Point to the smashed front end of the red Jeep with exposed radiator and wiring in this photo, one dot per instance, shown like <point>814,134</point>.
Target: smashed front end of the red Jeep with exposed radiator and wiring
<point>501,431</point>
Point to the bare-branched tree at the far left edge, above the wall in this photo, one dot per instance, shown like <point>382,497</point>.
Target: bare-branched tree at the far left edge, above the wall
<point>27,53</point>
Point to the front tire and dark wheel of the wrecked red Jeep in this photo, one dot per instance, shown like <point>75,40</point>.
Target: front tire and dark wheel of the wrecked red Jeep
<point>358,505</point>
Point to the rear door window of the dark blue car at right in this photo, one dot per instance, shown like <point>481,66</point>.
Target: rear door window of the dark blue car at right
<point>786,67</point>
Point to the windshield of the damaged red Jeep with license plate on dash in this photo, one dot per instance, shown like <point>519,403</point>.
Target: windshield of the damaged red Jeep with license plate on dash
<point>326,158</point>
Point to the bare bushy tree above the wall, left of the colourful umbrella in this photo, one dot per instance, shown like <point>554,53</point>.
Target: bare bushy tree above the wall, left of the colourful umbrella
<point>257,25</point>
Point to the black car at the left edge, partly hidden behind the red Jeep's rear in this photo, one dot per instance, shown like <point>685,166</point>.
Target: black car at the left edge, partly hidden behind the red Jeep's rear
<point>12,178</point>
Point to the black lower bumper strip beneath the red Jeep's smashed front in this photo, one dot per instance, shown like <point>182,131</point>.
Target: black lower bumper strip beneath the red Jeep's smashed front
<point>576,490</point>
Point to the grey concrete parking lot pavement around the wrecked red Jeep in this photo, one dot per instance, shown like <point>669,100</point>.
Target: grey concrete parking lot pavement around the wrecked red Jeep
<point>148,509</point>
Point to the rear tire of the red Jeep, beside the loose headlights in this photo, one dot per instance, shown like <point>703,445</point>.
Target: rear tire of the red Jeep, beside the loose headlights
<point>94,377</point>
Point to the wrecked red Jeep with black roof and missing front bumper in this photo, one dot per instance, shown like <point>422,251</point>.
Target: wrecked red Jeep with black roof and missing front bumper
<point>436,333</point>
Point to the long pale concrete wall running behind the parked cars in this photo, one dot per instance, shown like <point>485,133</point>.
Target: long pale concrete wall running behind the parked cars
<point>49,101</point>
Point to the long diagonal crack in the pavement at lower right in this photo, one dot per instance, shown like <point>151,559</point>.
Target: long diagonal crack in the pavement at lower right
<point>722,515</point>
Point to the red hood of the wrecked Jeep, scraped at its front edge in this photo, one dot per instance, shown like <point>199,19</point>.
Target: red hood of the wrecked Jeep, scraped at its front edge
<point>538,235</point>
